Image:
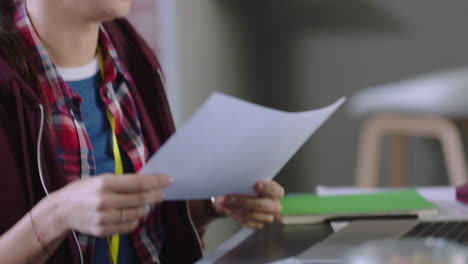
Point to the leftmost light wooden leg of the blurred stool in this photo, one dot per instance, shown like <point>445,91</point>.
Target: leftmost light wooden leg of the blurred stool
<point>370,147</point>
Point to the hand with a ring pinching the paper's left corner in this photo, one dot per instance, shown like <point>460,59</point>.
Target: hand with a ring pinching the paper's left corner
<point>108,204</point>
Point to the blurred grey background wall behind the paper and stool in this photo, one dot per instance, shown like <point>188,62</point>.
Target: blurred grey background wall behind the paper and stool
<point>301,54</point>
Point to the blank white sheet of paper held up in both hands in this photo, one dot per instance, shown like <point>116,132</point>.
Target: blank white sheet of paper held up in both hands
<point>230,144</point>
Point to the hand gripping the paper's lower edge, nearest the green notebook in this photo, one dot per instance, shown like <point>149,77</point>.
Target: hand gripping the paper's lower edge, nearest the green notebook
<point>253,211</point>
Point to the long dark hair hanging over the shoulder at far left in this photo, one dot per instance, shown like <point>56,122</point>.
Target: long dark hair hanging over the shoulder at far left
<point>12,48</point>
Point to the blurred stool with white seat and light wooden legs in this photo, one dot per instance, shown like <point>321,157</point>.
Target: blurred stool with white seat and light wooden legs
<point>434,106</point>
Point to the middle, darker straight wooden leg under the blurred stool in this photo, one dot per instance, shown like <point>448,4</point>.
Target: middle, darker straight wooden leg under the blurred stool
<point>399,160</point>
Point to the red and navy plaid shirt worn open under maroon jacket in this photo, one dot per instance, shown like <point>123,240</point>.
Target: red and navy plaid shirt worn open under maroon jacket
<point>67,126</point>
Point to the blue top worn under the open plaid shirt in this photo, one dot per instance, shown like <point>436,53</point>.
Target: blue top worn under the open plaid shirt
<point>100,134</point>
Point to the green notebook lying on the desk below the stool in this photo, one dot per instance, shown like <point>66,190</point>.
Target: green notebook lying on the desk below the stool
<point>310,208</point>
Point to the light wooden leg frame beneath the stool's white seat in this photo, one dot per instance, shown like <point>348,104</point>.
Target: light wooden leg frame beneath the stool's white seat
<point>399,127</point>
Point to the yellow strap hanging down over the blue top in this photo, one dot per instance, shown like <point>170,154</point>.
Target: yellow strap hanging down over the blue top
<point>114,240</point>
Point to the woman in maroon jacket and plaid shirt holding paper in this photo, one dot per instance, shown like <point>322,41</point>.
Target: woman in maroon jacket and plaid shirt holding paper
<point>81,99</point>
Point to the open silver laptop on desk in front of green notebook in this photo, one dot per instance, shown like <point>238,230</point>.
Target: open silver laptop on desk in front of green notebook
<point>332,249</point>
